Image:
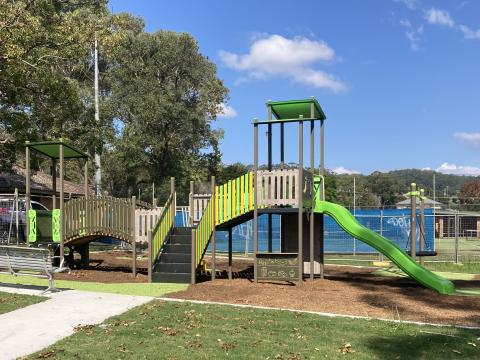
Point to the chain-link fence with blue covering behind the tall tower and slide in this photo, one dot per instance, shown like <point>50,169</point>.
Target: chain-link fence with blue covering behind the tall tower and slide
<point>449,236</point>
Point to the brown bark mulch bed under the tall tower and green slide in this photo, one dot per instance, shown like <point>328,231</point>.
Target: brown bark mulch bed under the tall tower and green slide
<point>345,290</point>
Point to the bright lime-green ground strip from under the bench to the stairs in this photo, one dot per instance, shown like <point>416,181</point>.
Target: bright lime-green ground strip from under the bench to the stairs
<point>144,289</point>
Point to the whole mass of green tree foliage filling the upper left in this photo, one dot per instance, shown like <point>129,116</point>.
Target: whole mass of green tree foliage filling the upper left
<point>159,94</point>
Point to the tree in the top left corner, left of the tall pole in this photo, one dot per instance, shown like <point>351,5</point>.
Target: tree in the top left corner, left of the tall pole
<point>43,53</point>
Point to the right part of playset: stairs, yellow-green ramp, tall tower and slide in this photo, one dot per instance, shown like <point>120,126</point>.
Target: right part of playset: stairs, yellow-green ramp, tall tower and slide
<point>297,195</point>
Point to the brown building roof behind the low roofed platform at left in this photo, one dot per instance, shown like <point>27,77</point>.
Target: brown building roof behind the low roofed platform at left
<point>41,183</point>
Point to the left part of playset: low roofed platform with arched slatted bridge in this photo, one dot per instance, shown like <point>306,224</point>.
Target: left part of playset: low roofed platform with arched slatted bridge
<point>77,222</point>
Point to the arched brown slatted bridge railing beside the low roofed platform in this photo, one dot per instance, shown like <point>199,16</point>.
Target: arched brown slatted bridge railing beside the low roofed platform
<point>99,216</point>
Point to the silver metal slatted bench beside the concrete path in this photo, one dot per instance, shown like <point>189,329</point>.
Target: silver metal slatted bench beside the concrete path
<point>15,260</point>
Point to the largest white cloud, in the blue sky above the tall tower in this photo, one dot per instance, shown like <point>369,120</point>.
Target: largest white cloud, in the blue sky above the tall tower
<point>275,55</point>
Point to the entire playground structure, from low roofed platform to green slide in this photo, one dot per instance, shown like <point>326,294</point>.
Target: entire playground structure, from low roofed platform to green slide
<point>175,254</point>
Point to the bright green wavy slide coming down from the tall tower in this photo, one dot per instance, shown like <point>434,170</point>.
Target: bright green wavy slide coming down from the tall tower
<point>399,257</point>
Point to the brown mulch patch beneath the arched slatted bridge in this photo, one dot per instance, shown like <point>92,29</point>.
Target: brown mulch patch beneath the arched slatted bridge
<point>109,267</point>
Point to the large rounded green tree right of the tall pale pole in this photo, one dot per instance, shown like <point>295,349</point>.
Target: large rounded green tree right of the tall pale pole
<point>164,96</point>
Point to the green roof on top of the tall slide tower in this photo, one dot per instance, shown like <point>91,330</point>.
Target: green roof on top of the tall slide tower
<point>294,109</point>
